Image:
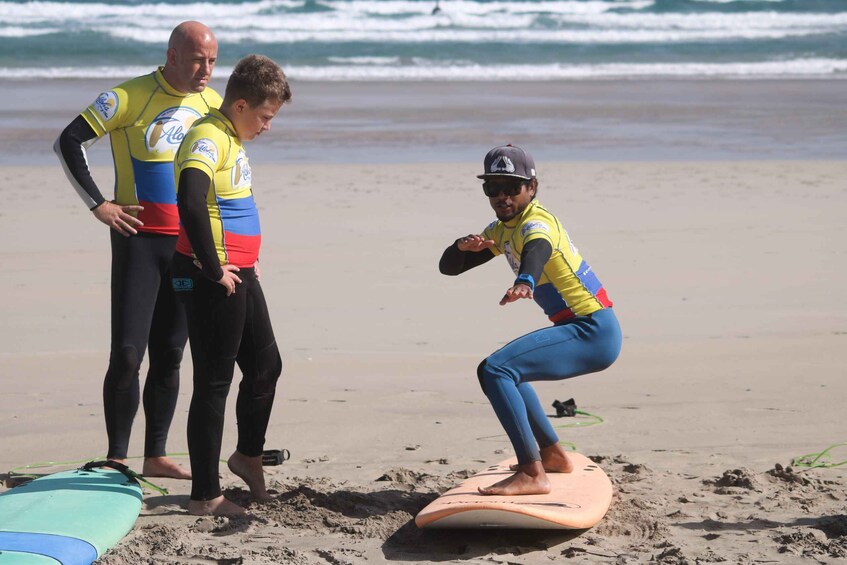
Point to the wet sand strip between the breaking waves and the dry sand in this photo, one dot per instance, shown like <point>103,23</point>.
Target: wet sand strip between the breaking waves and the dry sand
<point>430,122</point>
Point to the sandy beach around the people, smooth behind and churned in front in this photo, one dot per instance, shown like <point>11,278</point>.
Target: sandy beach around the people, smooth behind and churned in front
<point>722,271</point>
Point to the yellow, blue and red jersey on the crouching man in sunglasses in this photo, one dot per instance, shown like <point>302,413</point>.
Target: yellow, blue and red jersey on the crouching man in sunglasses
<point>568,286</point>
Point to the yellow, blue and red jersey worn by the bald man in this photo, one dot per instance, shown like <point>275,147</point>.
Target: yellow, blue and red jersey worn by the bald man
<point>147,120</point>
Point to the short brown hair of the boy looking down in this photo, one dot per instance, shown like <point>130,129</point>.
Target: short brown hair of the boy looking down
<point>256,79</point>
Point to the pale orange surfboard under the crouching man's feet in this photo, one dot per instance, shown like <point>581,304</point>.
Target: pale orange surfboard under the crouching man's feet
<point>577,501</point>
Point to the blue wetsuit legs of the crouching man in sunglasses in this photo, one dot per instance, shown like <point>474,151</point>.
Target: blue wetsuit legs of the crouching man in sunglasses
<point>581,345</point>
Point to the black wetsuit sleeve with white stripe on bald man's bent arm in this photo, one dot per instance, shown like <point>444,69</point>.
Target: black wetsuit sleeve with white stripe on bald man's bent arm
<point>70,147</point>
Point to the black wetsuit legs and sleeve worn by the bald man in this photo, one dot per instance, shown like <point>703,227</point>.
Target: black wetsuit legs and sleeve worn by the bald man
<point>145,317</point>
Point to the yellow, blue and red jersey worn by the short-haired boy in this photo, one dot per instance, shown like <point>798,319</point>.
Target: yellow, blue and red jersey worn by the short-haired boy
<point>213,147</point>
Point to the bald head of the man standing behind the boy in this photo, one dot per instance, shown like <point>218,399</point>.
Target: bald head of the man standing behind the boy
<point>192,53</point>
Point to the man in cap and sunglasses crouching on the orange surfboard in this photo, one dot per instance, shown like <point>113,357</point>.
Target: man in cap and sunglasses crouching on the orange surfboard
<point>585,336</point>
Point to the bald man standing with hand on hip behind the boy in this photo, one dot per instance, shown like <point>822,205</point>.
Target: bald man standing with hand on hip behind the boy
<point>146,119</point>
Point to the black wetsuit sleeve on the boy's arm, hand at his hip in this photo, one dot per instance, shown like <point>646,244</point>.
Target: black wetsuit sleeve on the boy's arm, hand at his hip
<point>193,188</point>
